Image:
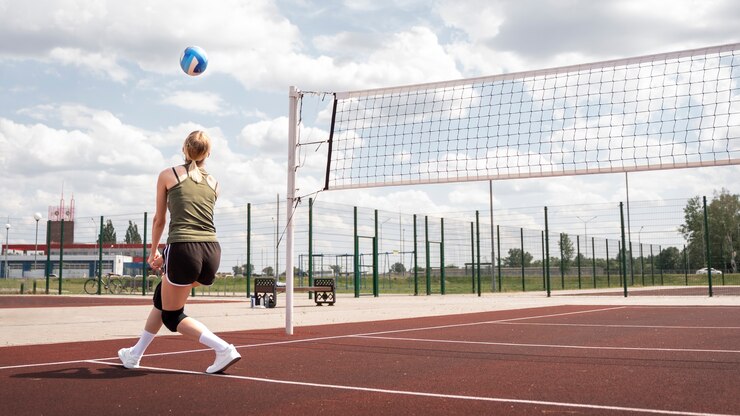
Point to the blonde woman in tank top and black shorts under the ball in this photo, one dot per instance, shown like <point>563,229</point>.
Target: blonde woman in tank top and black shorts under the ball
<point>191,256</point>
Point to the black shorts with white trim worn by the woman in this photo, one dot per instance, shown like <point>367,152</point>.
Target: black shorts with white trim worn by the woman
<point>185,263</point>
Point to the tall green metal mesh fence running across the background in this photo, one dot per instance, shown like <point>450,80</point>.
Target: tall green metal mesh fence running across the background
<point>674,246</point>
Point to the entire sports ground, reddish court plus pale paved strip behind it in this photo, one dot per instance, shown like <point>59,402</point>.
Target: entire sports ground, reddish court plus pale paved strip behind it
<point>515,354</point>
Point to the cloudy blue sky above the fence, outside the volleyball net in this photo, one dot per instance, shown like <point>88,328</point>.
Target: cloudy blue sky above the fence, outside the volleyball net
<point>93,102</point>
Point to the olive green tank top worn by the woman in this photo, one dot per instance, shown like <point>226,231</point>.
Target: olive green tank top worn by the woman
<point>191,210</point>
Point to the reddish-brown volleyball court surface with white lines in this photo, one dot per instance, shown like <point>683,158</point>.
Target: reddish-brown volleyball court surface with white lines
<point>600,360</point>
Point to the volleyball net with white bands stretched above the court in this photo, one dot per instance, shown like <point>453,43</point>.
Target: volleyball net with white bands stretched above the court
<point>663,111</point>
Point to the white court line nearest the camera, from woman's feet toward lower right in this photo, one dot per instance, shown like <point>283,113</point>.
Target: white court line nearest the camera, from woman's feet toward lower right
<point>427,394</point>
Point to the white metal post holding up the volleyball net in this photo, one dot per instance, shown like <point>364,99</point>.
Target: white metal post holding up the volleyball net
<point>293,97</point>
